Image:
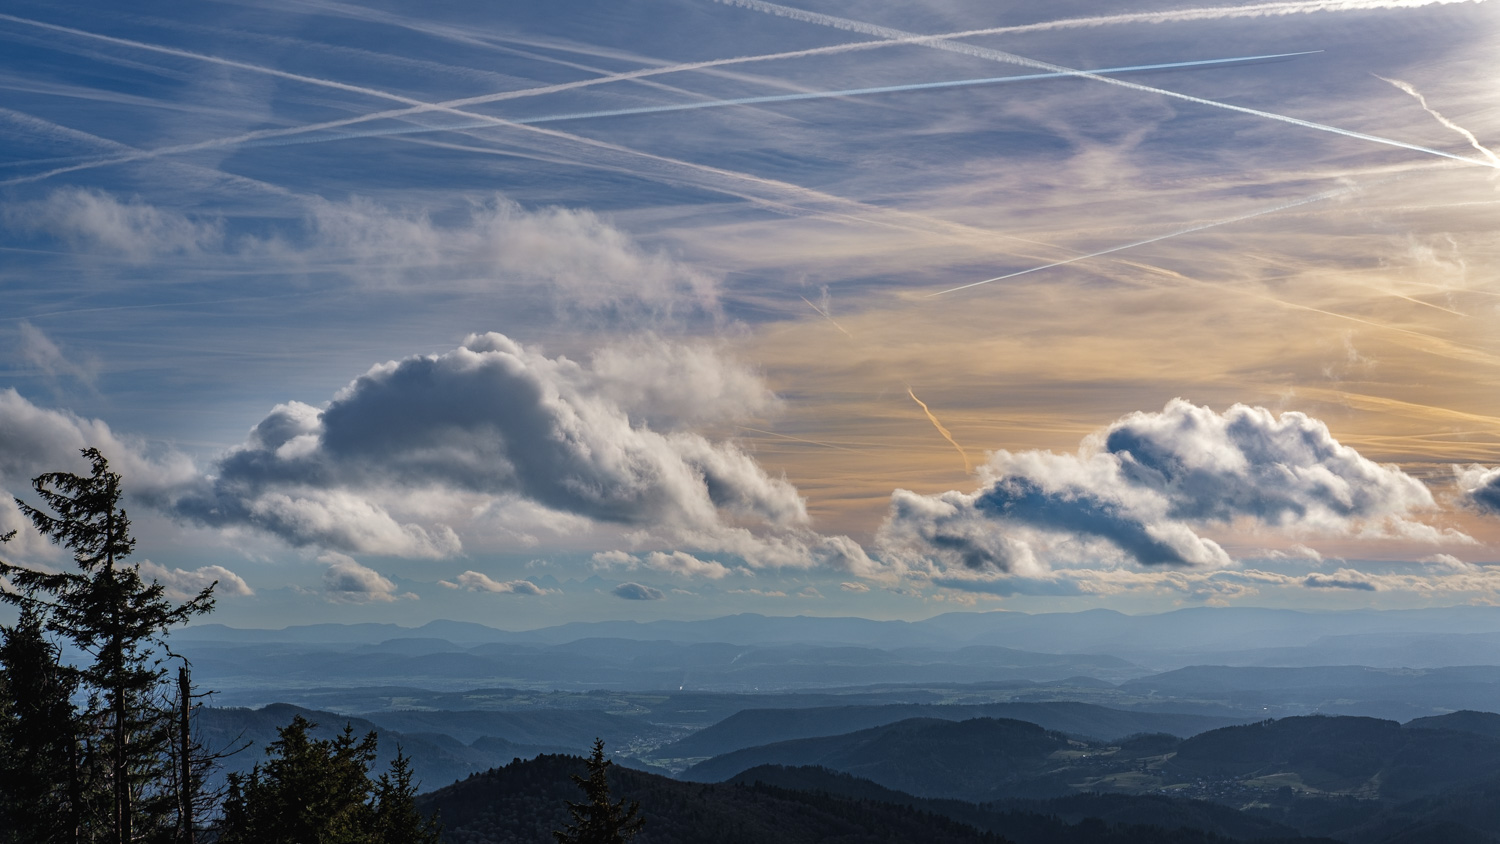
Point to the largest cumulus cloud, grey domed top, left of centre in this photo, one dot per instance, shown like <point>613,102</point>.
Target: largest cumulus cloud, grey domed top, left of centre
<point>499,422</point>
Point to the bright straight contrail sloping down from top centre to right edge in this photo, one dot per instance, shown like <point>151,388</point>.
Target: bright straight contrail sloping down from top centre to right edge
<point>1012,59</point>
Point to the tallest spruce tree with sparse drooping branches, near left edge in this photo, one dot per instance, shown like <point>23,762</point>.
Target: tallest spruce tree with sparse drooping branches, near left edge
<point>121,621</point>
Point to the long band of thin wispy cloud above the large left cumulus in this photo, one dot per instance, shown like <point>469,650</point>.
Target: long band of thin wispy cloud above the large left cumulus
<point>578,260</point>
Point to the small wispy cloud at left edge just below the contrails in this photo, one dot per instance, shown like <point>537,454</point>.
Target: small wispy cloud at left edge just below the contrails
<point>100,221</point>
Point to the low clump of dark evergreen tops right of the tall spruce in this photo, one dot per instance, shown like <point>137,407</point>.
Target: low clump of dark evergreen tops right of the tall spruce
<point>319,792</point>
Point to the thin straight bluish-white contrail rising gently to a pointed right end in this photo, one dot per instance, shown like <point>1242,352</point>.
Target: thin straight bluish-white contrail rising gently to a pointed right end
<point>785,98</point>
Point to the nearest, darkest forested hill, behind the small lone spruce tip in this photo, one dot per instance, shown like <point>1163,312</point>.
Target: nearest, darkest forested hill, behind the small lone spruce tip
<point>526,801</point>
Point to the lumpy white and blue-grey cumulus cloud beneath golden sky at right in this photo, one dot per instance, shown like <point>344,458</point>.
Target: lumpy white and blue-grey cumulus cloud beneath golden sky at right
<point>1141,492</point>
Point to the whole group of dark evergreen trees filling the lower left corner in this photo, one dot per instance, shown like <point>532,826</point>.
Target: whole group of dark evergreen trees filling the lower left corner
<point>103,752</point>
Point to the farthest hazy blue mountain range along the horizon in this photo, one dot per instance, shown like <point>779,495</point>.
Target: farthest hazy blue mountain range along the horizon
<point>1241,635</point>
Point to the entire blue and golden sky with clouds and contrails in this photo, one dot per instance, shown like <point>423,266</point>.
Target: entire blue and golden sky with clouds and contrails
<point>542,313</point>
